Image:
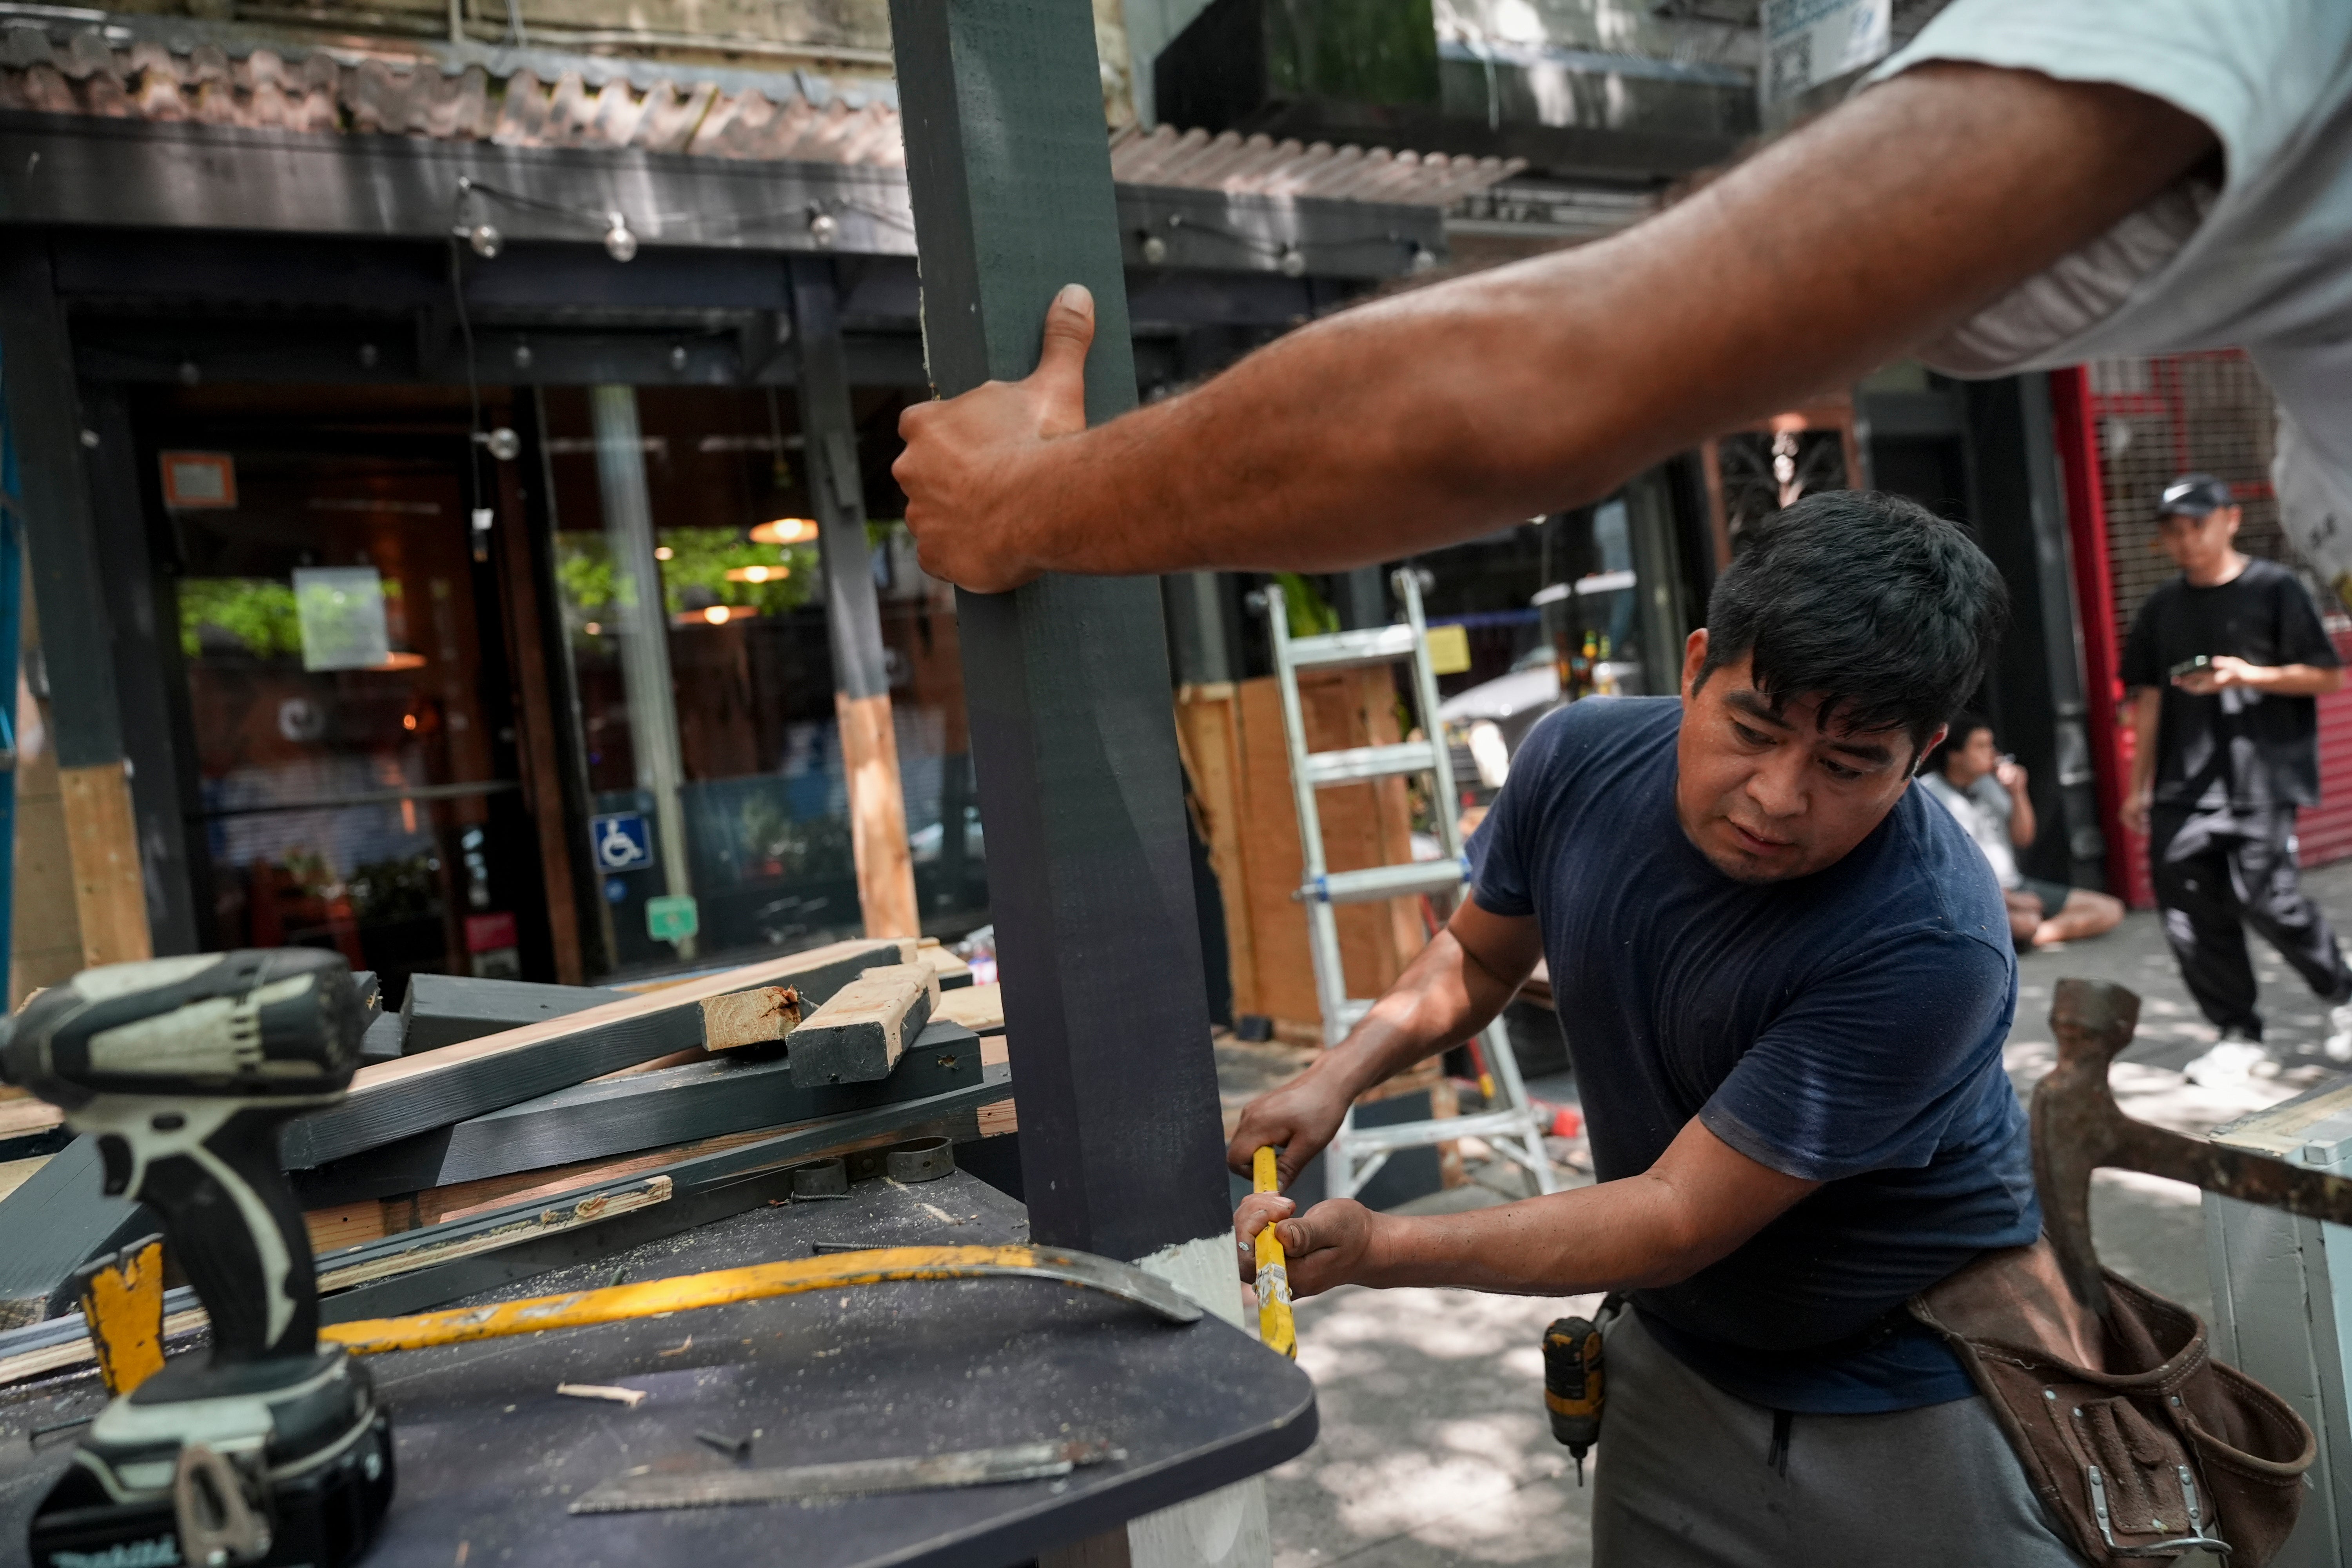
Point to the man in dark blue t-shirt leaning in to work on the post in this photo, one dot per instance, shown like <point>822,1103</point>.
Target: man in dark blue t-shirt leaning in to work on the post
<point>1786,981</point>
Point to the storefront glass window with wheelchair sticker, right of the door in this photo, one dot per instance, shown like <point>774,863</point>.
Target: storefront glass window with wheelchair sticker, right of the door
<point>695,626</point>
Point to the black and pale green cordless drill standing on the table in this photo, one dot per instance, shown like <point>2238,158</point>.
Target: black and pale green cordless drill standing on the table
<point>267,1452</point>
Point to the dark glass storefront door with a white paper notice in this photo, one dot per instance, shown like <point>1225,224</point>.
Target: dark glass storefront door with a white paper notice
<point>347,688</point>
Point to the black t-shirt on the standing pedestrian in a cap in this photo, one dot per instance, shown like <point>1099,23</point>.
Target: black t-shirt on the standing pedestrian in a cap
<point>2233,749</point>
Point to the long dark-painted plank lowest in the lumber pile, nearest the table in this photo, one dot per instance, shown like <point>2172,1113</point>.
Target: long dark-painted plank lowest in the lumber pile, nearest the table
<point>702,1188</point>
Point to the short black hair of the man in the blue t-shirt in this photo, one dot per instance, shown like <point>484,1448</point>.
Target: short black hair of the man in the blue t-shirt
<point>1871,603</point>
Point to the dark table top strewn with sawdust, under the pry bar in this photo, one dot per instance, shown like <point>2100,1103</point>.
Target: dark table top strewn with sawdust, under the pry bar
<point>490,1454</point>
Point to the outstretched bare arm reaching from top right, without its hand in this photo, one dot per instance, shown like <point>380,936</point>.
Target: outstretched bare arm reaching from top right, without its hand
<point>1436,415</point>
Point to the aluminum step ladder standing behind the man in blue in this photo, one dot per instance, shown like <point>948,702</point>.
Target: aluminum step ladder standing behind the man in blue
<point>1358,1153</point>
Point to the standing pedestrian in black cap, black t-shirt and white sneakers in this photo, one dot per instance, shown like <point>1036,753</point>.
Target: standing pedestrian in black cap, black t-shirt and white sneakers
<point>2224,664</point>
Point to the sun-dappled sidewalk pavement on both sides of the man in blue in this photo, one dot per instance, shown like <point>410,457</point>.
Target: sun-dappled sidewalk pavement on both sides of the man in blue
<point>1436,1449</point>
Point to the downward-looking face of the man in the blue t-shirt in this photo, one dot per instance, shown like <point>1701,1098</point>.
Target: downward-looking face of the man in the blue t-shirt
<point>1768,796</point>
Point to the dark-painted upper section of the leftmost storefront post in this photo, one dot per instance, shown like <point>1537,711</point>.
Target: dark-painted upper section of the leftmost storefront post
<point>46,415</point>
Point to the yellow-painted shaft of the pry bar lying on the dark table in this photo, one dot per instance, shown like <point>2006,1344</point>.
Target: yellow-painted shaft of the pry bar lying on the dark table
<point>681,1294</point>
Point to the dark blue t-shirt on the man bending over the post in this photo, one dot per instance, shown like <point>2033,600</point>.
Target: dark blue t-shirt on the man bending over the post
<point>1843,1028</point>
